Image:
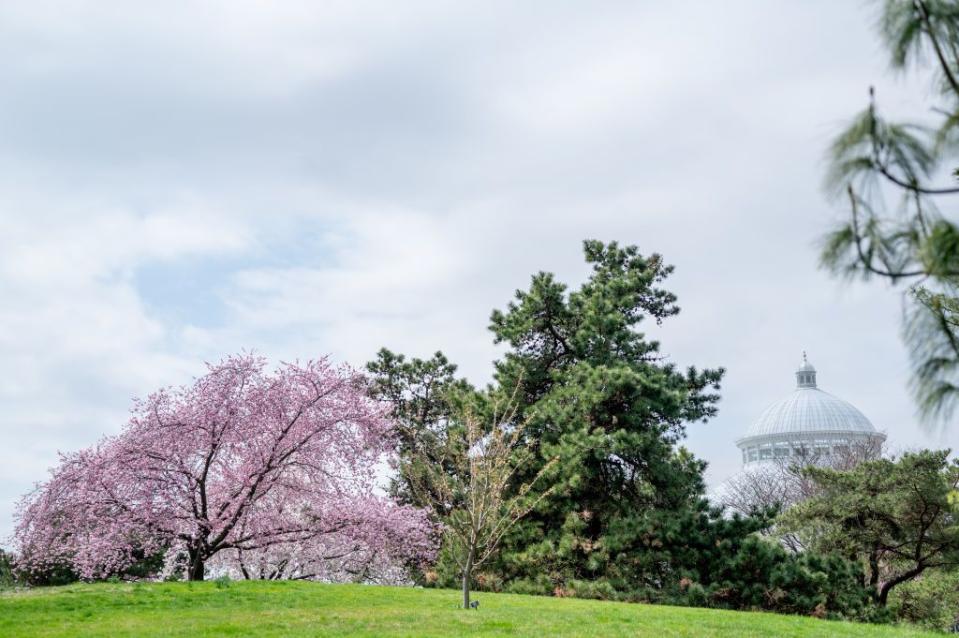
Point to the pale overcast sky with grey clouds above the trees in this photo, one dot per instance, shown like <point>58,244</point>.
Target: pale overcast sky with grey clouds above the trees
<point>180,181</point>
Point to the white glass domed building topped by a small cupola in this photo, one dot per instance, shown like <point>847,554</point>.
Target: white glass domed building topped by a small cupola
<point>807,423</point>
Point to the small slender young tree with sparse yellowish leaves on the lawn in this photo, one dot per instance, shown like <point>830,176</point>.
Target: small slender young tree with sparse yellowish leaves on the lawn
<point>470,485</point>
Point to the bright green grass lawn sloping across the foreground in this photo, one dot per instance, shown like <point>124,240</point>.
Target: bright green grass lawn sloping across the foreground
<point>307,609</point>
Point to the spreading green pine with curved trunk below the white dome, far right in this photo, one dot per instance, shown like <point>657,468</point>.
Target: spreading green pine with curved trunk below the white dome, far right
<point>898,518</point>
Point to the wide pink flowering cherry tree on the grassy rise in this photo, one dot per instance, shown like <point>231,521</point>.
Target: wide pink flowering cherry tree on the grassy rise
<point>268,473</point>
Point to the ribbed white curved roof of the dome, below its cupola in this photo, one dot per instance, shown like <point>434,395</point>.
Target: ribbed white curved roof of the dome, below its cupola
<point>809,409</point>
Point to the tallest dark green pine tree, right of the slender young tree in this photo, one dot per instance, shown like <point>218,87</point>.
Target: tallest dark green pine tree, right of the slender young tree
<point>602,400</point>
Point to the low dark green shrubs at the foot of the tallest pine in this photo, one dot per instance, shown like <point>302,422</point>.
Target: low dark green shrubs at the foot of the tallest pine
<point>722,563</point>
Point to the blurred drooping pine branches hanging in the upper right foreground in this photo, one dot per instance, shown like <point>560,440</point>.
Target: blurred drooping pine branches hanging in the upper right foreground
<point>911,241</point>
